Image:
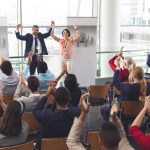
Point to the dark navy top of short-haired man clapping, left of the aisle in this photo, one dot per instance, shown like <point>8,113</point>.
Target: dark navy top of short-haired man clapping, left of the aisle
<point>55,123</point>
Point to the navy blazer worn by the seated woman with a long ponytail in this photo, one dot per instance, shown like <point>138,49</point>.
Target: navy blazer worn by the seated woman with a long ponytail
<point>128,91</point>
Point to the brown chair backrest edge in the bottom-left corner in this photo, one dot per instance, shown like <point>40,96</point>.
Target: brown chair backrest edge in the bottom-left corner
<point>24,146</point>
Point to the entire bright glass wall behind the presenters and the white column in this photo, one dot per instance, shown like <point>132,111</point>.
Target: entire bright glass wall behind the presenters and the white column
<point>134,34</point>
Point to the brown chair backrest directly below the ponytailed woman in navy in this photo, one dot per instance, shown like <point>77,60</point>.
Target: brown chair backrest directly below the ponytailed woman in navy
<point>132,108</point>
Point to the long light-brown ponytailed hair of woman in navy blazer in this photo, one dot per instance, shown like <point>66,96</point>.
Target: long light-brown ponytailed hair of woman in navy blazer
<point>138,73</point>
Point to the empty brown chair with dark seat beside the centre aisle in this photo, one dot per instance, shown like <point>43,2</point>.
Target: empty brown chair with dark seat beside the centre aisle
<point>98,94</point>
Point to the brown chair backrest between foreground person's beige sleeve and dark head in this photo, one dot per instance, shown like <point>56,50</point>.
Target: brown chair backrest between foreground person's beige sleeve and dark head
<point>93,140</point>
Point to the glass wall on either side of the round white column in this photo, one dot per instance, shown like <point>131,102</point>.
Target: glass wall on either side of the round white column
<point>134,31</point>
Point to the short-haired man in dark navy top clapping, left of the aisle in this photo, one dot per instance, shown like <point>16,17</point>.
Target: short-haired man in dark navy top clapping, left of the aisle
<point>55,123</point>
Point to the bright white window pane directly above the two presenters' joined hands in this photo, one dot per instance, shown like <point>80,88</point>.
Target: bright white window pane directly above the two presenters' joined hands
<point>42,12</point>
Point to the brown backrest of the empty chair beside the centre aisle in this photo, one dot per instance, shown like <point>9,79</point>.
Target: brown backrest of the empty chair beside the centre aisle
<point>99,91</point>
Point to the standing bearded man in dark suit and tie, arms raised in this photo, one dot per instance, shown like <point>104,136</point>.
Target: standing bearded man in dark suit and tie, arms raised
<point>35,44</point>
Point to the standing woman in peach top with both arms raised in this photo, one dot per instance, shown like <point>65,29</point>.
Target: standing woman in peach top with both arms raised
<point>66,45</point>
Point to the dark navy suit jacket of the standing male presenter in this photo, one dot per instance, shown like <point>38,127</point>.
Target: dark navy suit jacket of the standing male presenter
<point>29,40</point>
